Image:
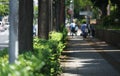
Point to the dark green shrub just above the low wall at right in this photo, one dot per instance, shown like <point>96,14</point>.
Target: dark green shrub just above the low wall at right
<point>110,22</point>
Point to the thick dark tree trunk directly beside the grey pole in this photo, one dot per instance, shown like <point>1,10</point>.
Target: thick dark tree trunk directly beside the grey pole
<point>25,25</point>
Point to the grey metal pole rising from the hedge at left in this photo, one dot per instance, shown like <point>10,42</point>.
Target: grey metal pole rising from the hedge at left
<point>13,36</point>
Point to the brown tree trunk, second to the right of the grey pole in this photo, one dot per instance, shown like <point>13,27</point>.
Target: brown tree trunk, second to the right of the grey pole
<point>43,19</point>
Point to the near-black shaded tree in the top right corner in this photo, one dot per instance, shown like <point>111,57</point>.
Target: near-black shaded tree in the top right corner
<point>103,4</point>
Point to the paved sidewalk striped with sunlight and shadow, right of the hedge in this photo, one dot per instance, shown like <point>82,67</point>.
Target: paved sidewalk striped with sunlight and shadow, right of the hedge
<point>90,58</point>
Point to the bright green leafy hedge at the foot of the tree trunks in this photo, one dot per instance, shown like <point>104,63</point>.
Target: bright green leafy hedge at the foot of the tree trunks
<point>43,61</point>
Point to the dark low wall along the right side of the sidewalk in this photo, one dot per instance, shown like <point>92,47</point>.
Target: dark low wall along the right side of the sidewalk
<point>110,36</point>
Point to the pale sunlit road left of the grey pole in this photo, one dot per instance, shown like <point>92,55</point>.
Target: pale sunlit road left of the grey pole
<point>4,39</point>
